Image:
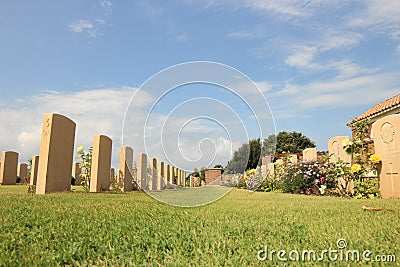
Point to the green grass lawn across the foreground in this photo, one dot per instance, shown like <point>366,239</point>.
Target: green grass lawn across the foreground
<point>81,229</point>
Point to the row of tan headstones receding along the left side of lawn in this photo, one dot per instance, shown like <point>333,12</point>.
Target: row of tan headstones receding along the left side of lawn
<point>51,170</point>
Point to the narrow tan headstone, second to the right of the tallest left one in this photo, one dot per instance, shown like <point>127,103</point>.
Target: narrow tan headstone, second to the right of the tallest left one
<point>125,167</point>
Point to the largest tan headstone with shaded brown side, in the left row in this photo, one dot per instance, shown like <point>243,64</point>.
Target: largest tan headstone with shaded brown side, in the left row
<point>56,154</point>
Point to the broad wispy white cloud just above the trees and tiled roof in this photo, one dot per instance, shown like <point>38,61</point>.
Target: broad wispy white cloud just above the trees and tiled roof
<point>296,99</point>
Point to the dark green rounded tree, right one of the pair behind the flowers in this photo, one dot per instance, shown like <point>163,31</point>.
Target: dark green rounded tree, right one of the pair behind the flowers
<point>292,142</point>
